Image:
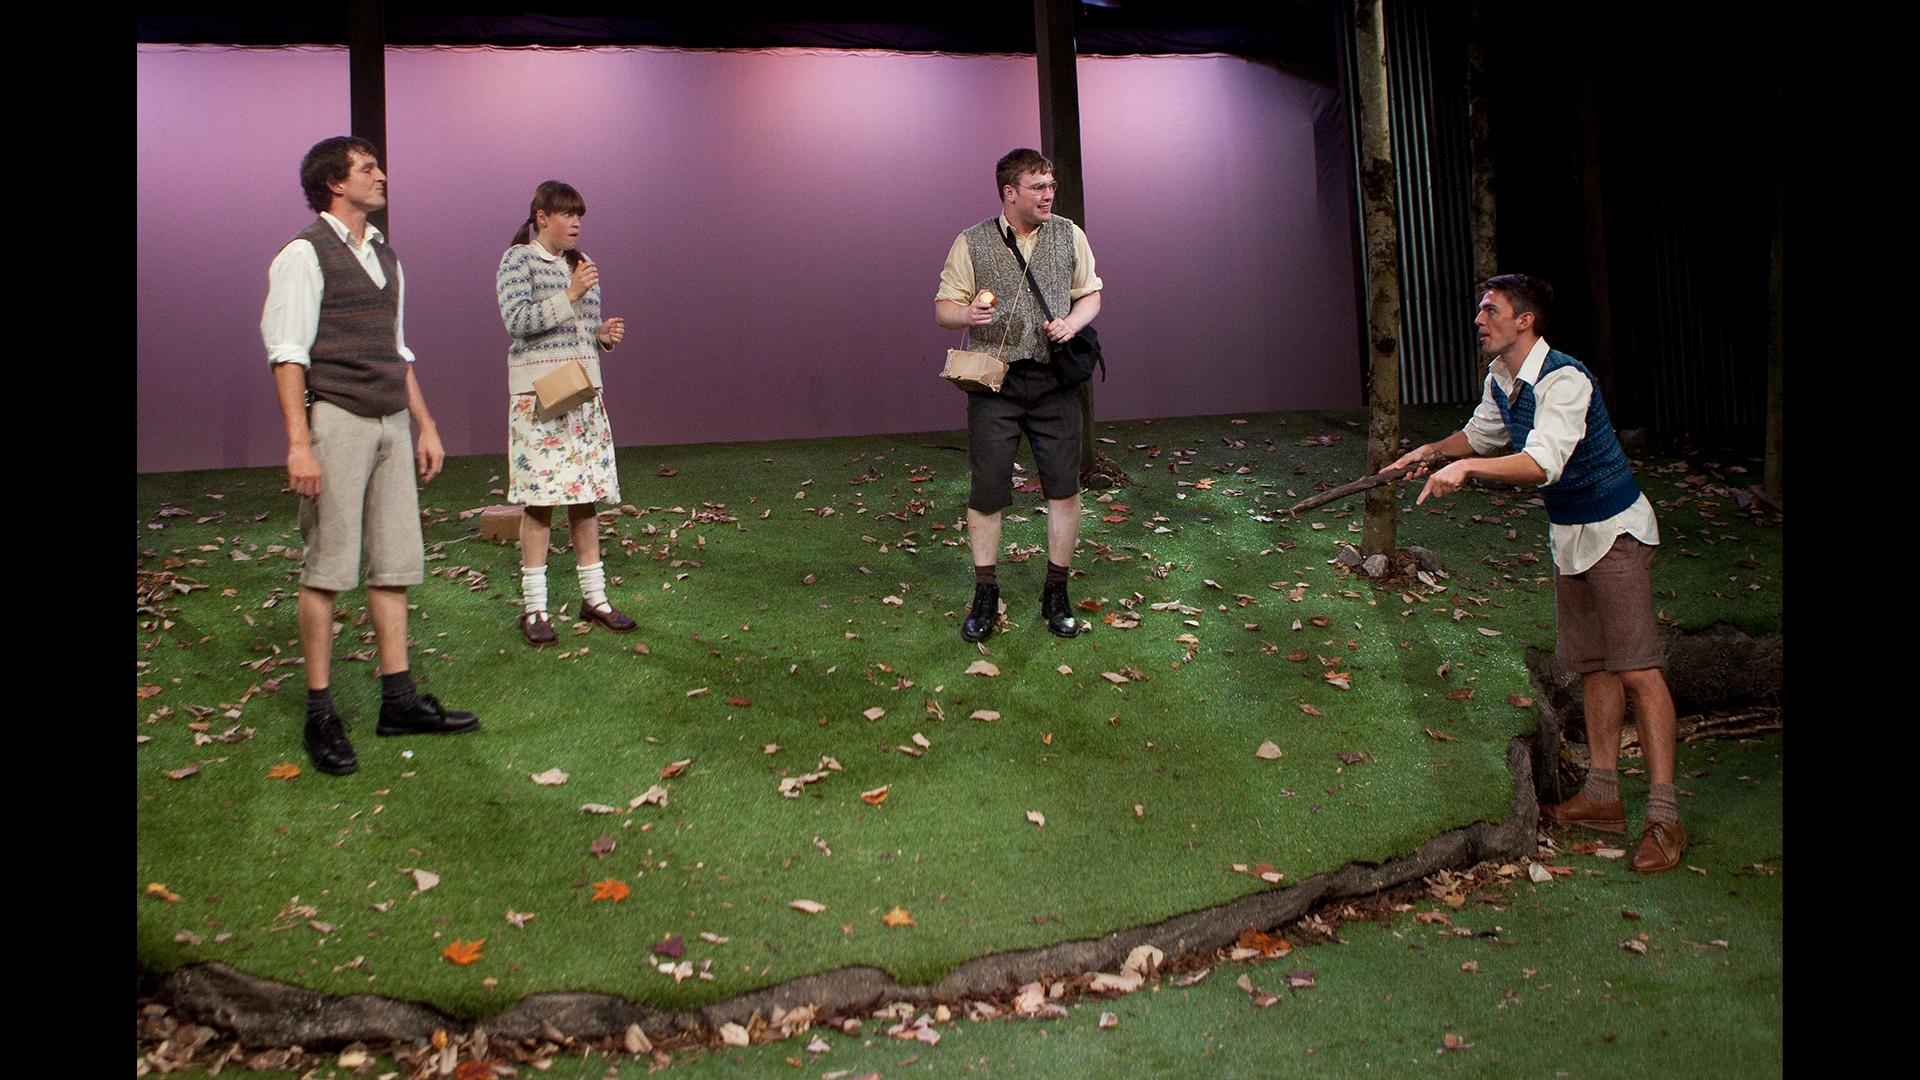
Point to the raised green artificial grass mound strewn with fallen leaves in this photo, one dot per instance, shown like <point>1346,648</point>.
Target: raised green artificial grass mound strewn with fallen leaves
<point>715,570</point>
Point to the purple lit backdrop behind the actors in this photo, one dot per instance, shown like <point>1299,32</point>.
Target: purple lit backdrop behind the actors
<point>771,224</point>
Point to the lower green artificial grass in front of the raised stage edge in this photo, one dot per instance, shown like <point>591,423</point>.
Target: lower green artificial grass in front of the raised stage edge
<point>1554,993</point>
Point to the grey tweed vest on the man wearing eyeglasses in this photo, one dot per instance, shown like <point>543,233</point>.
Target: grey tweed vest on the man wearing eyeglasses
<point>1017,316</point>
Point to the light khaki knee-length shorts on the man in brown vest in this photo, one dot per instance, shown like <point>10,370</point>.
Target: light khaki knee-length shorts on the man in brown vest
<point>368,495</point>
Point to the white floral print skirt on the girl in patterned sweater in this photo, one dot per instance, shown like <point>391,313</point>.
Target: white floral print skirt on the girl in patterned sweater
<point>564,460</point>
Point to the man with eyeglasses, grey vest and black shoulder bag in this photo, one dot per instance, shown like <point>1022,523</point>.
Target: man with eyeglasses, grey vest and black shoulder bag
<point>986,291</point>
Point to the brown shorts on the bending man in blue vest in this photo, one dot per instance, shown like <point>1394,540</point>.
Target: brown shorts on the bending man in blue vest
<point>1606,614</point>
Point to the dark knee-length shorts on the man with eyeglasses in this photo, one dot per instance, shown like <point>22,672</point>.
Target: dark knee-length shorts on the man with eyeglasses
<point>1030,403</point>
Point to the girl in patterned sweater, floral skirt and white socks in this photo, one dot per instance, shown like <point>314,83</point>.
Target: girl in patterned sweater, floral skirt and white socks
<point>550,301</point>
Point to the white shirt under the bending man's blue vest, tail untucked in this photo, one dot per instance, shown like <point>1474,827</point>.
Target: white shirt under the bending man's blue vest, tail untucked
<point>1560,426</point>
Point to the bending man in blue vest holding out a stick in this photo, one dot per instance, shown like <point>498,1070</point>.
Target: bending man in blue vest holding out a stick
<point>1547,405</point>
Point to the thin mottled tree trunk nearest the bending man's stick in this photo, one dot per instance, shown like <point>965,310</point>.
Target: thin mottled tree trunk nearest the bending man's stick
<point>1383,276</point>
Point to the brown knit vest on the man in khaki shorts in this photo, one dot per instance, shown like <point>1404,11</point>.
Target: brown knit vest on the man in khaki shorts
<point>356,362</point>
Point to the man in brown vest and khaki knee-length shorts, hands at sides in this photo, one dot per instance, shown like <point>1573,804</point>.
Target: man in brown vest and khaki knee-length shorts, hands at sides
<point>345,376</point>
